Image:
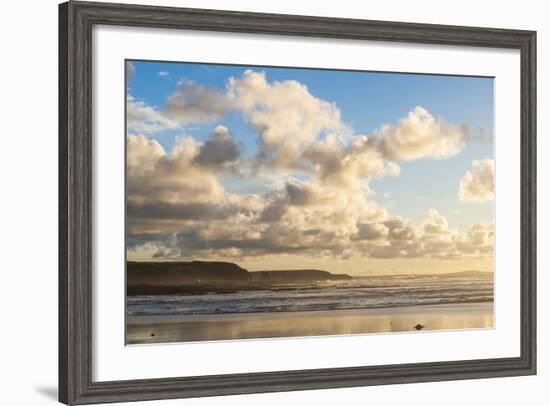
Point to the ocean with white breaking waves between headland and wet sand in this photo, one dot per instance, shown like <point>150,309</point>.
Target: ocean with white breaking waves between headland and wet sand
<point>371,292</point>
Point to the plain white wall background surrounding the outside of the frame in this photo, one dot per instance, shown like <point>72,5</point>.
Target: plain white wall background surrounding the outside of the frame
<point>28,201</point>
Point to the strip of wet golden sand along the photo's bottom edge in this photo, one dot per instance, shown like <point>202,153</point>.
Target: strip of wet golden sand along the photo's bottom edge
<point>164,329</point>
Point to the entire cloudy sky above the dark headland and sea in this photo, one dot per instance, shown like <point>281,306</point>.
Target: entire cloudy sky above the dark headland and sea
<point>291,168</point>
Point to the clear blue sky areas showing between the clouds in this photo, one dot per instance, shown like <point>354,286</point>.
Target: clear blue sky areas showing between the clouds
<point>367,101</point>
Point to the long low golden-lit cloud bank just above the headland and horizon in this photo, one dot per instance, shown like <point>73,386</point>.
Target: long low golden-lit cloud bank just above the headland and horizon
<point>191,215</point>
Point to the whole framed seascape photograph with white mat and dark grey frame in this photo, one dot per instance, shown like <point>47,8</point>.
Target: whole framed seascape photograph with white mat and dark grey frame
<point>257,202</point>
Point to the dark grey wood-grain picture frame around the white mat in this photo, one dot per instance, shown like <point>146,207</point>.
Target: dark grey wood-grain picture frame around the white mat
<point>76,20</point>
